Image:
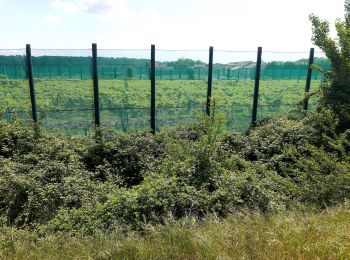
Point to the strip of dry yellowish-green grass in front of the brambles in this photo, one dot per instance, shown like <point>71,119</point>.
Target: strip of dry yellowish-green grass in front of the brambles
<point>249,235</point>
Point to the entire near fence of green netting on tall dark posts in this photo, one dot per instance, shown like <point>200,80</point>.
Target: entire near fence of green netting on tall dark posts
<point>75,90</point>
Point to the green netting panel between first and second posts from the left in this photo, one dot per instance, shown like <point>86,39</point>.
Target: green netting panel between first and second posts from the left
<point>63,88</point>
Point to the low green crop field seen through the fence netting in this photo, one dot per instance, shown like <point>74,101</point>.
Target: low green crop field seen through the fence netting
<point>67,105</point>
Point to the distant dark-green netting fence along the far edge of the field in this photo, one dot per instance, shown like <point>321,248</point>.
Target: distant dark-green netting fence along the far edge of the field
<point>58,71</point>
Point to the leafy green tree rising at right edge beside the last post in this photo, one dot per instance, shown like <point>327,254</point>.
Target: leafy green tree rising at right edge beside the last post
<point>335,89</point>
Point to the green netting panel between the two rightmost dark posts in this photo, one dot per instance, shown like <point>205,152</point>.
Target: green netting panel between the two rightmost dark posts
<point>282,83</point>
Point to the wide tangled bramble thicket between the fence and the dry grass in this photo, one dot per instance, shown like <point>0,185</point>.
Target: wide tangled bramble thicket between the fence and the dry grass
<point>75,184</point>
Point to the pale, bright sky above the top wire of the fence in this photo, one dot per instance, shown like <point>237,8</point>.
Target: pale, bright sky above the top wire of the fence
<point>276,25</point>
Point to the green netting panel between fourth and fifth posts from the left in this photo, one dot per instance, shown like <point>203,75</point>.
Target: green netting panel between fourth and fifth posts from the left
<point>233,87</point>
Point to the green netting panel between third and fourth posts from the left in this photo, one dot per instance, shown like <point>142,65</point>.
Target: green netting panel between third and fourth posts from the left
<point>181,87</point>
